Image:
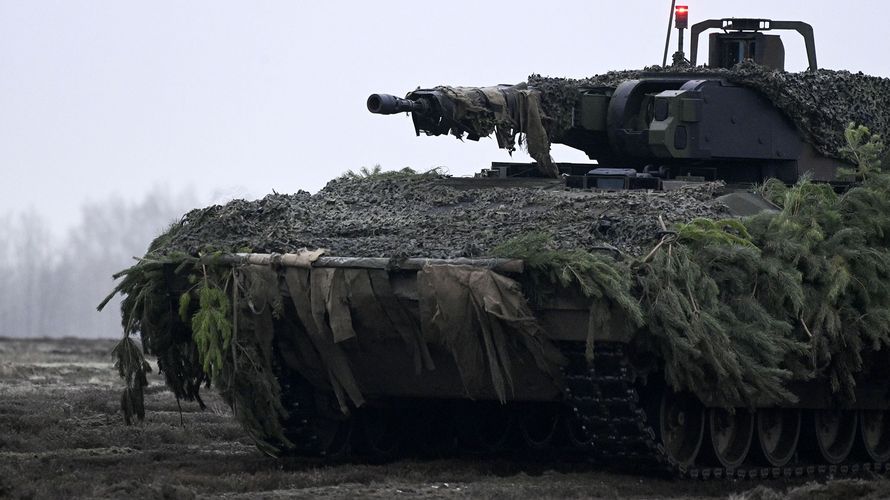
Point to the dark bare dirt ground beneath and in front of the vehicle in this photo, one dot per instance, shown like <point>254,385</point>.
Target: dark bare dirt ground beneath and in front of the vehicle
<point>62,436</point>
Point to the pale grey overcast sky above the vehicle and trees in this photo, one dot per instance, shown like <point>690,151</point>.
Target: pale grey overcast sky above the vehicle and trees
<point>240,98</point>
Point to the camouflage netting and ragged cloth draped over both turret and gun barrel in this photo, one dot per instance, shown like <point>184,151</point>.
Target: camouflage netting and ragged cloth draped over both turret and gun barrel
<point>540,111</point>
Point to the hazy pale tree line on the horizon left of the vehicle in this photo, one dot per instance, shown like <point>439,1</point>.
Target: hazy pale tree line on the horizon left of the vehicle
<point>51,286</point>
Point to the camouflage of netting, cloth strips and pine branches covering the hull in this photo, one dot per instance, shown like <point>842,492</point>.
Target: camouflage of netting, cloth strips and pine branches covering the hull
<point>731,310</point>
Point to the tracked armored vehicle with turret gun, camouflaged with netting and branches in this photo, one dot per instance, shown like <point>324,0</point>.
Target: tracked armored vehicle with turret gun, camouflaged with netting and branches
<point>386,355</point>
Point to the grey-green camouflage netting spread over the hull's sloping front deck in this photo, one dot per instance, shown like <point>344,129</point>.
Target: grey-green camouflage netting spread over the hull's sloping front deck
<point>426,215</point>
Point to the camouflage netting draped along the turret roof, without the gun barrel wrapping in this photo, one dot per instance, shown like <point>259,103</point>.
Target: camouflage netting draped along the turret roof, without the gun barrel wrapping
<point>821,103</point>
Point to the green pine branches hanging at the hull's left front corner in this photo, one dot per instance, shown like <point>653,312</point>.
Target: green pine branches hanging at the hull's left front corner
<point>192,333</point>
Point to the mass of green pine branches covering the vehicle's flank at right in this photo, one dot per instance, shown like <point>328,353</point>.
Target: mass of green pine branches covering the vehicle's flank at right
<point>735,309</point>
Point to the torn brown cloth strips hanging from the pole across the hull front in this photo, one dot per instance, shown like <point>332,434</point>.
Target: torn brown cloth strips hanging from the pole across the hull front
<point>480,316</point>
